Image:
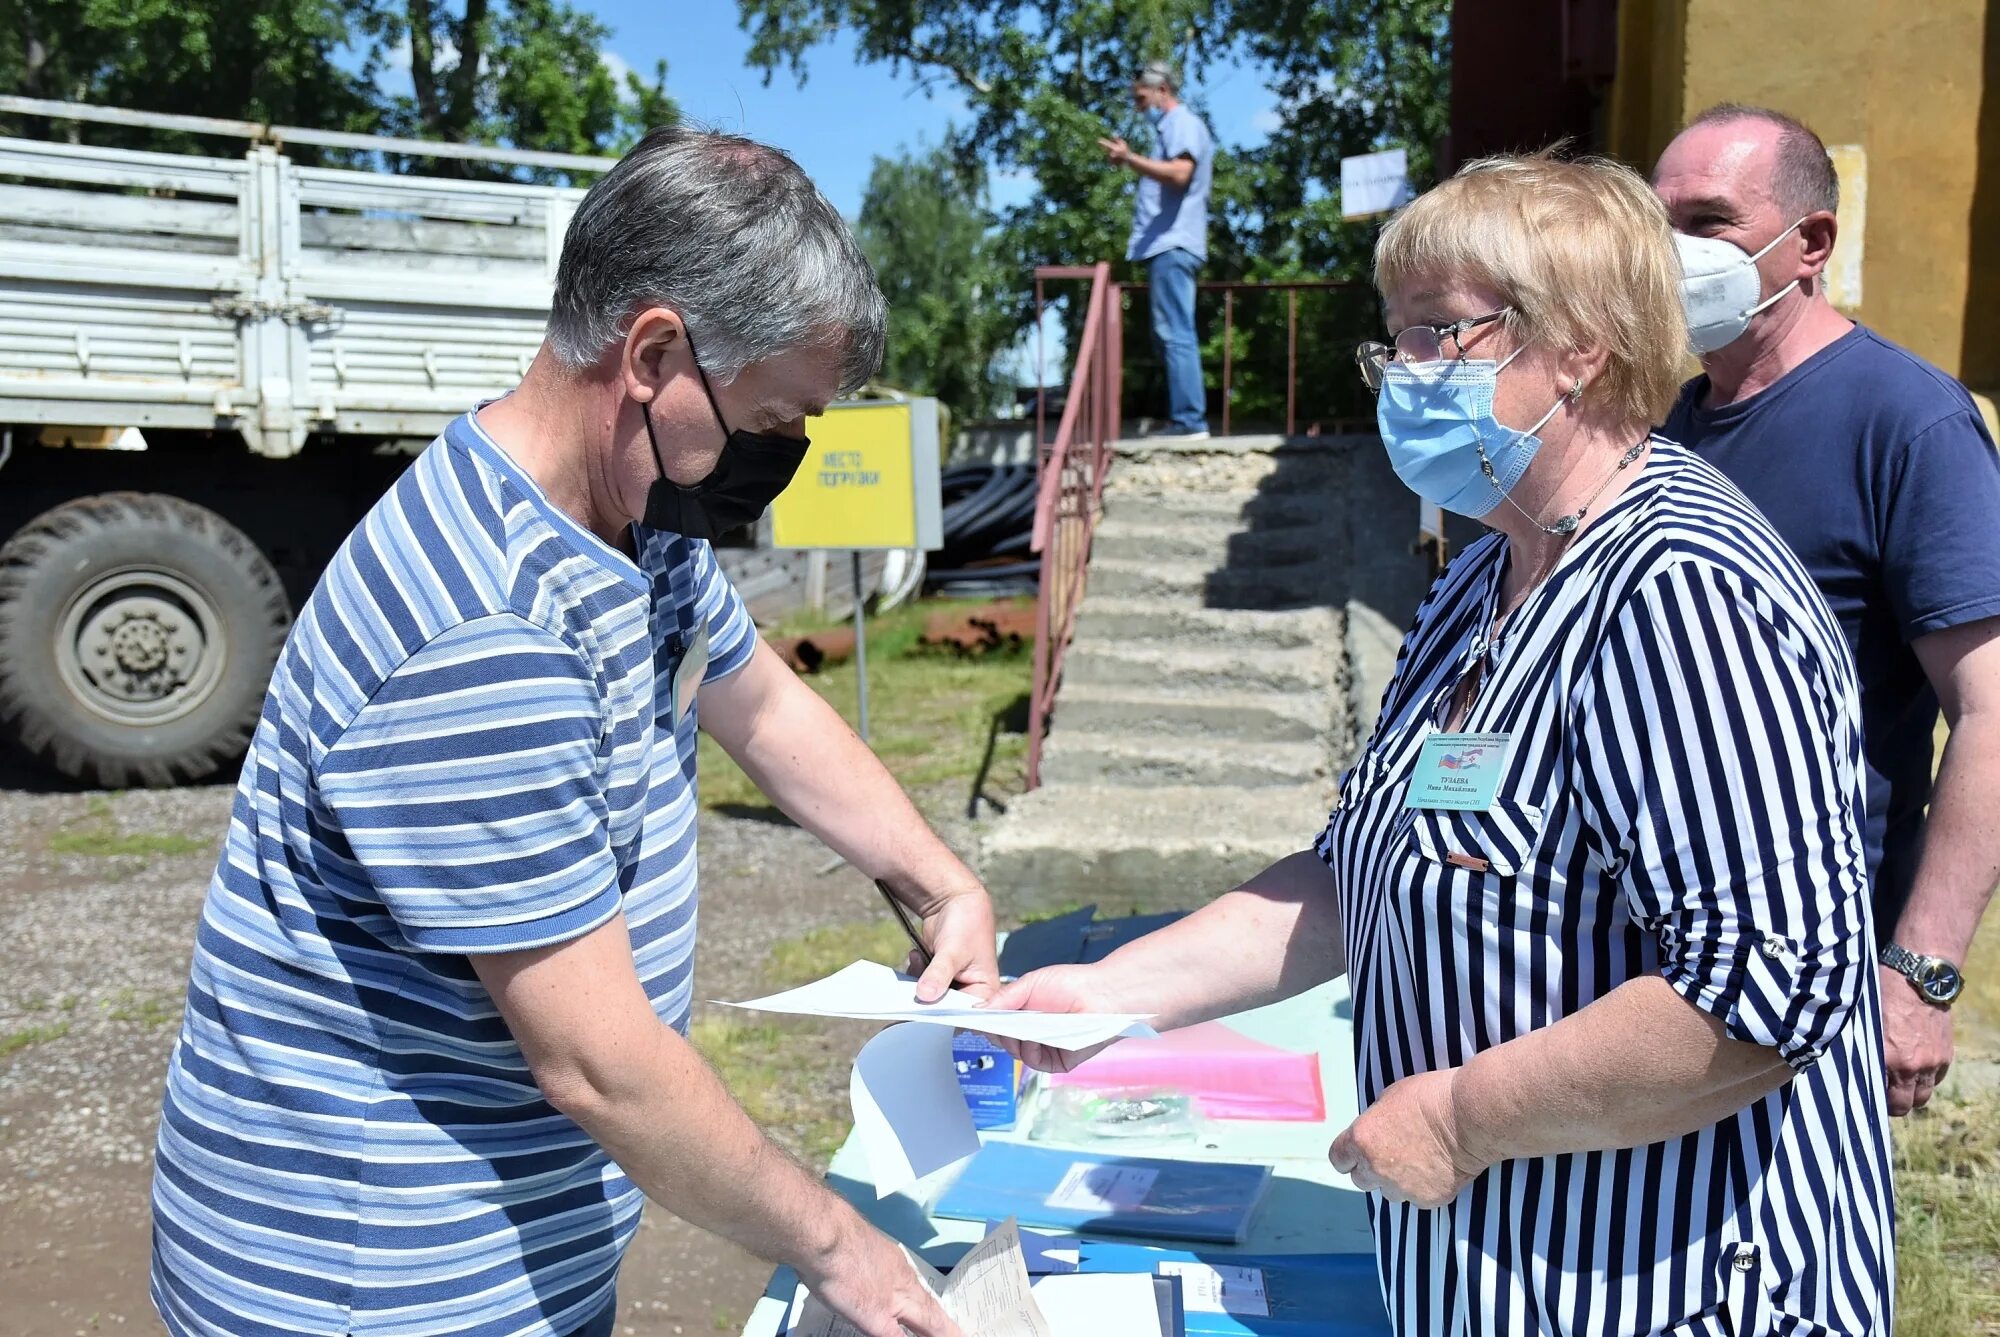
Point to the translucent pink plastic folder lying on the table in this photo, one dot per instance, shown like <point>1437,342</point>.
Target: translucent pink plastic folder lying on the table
<point>1229,1076</point>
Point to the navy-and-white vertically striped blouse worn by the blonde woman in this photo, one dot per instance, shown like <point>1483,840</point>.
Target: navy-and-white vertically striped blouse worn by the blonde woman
<point>1681,798</point>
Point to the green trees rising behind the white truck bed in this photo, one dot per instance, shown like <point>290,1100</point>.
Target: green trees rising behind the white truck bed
<point>519,73</point>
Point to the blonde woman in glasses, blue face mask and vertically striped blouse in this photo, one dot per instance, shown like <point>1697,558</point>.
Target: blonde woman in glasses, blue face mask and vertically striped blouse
<point>1597,878</point>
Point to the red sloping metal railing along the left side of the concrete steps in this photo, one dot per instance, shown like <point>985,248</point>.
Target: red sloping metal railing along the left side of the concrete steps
<point>1071,489</point>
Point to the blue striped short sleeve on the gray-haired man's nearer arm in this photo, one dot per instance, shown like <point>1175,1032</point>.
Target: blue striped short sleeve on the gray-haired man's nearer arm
<point>471,792</point>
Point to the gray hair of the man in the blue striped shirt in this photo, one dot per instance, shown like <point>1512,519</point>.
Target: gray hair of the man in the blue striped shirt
<point>735,239</point>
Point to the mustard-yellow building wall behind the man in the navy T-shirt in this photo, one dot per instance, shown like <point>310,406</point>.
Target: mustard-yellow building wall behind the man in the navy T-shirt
<point>1913,87</point>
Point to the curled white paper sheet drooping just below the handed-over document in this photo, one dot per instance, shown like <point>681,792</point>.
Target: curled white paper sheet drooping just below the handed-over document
<point>909,1112</point>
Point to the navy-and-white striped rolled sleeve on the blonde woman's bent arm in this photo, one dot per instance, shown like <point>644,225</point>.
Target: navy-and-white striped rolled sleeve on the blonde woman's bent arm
<point>1715,786</point>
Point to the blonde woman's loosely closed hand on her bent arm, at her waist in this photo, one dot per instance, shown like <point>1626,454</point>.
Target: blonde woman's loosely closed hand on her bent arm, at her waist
<point>1409,1146</point>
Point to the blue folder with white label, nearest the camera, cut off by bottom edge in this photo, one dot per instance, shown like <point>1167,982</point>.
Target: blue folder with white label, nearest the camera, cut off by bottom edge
<point>1245,1296</point>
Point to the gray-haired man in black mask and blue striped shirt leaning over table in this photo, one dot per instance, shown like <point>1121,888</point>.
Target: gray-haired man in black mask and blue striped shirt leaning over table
<point>435,1048</point>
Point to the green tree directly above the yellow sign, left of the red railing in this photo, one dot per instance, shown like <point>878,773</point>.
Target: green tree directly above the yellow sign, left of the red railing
<point>929,235</point>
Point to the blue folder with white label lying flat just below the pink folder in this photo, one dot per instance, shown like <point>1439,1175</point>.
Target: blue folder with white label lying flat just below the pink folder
<point>1117,1196</point>
